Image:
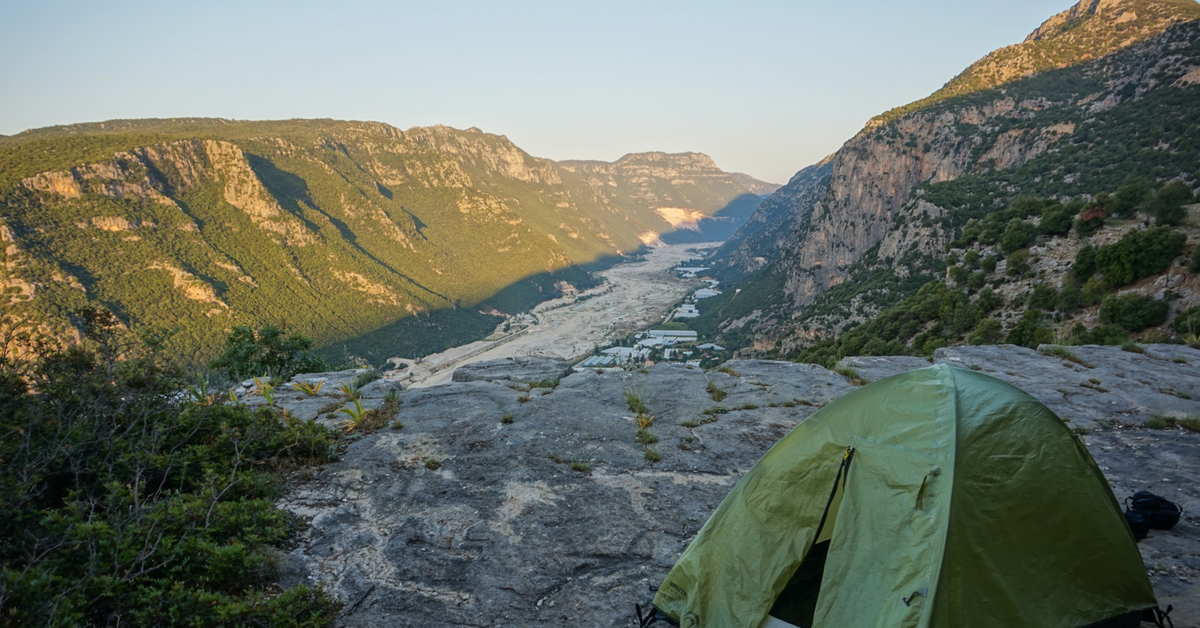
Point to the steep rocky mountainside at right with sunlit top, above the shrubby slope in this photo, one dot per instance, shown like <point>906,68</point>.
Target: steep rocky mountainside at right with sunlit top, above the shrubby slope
<point>1018,109</point>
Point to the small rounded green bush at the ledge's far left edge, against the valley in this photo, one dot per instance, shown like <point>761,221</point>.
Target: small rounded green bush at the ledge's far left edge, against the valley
<point>267,351</point>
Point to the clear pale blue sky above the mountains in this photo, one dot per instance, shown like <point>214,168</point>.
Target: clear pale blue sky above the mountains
<point>764,88</point>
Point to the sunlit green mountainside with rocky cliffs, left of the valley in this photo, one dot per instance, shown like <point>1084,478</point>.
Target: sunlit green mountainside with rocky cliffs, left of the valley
<point>207,224</point>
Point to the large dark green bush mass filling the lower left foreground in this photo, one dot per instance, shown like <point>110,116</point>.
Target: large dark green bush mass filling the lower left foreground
<point>125,505</point>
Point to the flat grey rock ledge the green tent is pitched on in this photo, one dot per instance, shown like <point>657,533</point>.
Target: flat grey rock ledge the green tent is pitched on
<point>499,504</point>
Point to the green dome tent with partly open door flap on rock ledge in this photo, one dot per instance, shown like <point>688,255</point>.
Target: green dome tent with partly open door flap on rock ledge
<point>939,498</point>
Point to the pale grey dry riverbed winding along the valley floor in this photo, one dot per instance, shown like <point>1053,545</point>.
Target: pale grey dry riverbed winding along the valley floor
<point>633,297</point>
